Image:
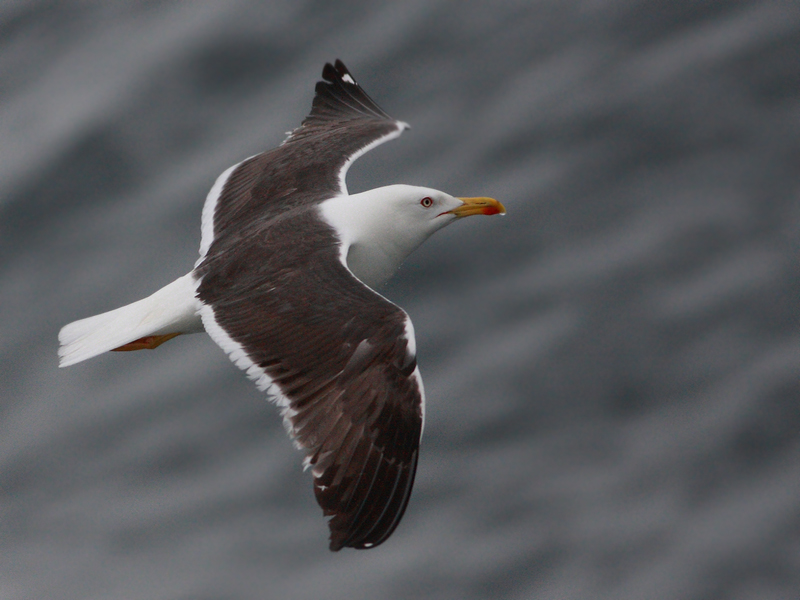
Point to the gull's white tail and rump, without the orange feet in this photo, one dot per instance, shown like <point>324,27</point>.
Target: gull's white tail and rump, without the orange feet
<point>172,309</point>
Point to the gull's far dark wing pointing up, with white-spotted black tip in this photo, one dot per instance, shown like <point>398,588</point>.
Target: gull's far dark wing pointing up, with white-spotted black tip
<point>310,165</point>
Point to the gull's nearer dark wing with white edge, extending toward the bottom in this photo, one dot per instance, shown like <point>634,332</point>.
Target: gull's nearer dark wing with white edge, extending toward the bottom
<point>336,355</point>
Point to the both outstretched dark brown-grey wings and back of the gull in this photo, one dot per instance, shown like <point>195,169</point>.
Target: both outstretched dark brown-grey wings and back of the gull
<point>278,299</point>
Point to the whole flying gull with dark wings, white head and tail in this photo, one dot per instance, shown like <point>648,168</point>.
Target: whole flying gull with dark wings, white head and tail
<point>285,284</point>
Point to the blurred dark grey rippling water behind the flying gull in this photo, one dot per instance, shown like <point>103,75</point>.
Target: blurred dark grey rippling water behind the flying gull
<point>612,369</point>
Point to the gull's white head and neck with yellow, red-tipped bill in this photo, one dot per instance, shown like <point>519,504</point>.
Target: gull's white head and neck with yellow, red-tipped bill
<point>381,227</point>
